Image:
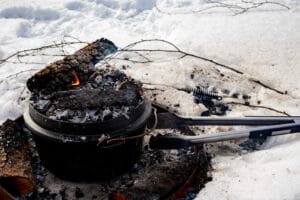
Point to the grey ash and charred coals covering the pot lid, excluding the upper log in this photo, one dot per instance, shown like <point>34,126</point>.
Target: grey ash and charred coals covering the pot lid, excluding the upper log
<point>107,94</point>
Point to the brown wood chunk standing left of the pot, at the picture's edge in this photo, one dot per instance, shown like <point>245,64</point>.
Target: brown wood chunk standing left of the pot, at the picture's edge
<point>16,174</point>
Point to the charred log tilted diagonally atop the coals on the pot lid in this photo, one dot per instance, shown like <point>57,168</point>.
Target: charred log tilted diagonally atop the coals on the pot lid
<point>59,75</point>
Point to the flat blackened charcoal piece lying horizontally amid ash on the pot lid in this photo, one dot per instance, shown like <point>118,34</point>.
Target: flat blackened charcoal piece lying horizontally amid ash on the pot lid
<point>128,95</point>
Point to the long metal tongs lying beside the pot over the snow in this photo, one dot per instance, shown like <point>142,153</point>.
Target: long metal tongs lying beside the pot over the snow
<point>273,126</point>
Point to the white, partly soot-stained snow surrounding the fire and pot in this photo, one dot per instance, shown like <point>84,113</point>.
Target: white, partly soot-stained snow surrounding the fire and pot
<point>263,42</point>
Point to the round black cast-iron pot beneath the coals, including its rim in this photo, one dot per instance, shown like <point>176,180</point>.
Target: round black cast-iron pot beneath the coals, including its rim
<point>72,150</point>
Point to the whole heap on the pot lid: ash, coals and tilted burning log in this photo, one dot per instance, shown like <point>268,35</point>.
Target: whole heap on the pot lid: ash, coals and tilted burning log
<point>72,89</point>
